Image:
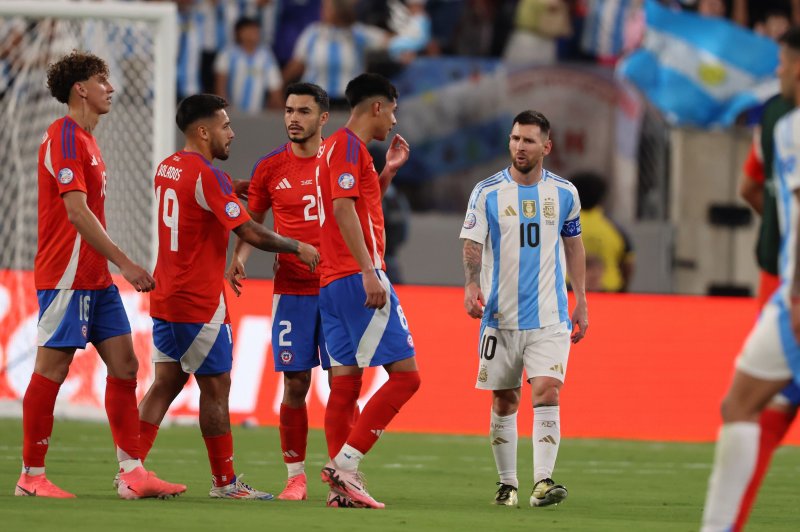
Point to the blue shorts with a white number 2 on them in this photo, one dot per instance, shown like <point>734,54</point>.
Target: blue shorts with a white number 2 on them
<point>297,333</point>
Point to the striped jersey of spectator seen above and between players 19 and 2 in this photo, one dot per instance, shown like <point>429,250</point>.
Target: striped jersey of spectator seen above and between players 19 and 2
<point>250,76</point>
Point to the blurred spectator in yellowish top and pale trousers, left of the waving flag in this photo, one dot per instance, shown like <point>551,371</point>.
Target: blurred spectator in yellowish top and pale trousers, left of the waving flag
<point>537,25</point>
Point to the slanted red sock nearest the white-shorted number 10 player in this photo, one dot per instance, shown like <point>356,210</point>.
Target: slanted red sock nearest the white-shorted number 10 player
<point>382,408</point>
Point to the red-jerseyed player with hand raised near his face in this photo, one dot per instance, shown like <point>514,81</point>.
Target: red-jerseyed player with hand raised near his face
<point>362,319</point>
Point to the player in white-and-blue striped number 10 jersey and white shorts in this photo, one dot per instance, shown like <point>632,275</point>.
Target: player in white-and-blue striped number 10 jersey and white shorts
<point>522,235</point>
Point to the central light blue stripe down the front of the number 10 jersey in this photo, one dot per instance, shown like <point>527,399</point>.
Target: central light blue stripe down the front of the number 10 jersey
<point>529,260</point>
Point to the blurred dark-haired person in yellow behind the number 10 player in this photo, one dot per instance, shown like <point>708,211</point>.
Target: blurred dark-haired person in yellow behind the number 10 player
<point>609,253</point>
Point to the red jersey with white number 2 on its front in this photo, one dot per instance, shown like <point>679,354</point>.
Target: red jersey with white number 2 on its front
<point>286,183</point>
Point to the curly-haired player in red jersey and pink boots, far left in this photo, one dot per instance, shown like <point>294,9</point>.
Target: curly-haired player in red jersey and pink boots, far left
<point>78,302</point>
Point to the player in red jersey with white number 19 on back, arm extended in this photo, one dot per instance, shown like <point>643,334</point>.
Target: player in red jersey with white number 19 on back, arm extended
<point>197,209</point>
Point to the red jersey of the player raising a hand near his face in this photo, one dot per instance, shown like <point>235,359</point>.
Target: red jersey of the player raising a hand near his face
<point>346,171</point>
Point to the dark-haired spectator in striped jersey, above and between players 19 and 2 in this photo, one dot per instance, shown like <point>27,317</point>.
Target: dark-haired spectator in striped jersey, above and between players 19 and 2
<point>247,74</point>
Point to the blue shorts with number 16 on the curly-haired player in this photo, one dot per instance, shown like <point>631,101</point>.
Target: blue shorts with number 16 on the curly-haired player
<point>72,318</point>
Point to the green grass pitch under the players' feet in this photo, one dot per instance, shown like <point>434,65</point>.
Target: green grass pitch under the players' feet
<point>428,482</point>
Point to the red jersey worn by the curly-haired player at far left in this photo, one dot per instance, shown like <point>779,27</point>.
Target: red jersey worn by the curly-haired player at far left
<point>69,159</point>
